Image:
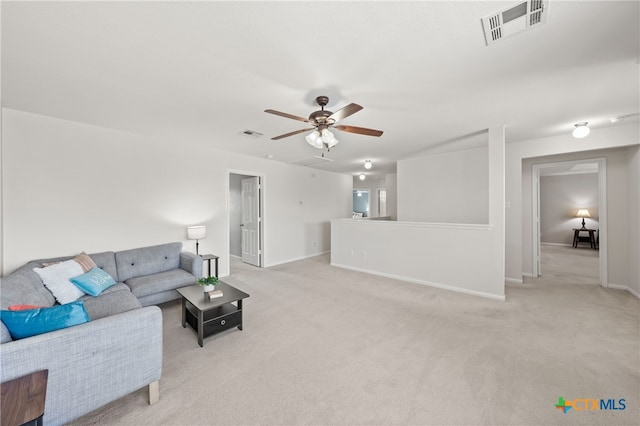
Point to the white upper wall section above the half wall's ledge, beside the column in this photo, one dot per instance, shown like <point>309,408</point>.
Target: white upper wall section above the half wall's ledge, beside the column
<point>445,188</point>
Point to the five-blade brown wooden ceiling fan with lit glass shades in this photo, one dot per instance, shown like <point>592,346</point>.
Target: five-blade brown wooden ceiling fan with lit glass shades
<point>322,120</point>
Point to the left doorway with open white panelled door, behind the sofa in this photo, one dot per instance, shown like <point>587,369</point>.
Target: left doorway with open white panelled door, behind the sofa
<point>244,209</point>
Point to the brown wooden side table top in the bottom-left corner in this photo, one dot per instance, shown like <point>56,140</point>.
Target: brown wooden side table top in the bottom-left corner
<point>23,399</point>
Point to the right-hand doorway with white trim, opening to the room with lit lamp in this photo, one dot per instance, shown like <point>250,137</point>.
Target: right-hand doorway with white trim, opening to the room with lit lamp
<point>562,218</point>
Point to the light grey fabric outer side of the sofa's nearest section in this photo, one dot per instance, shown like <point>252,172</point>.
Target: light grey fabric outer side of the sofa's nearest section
<point>90,364</point>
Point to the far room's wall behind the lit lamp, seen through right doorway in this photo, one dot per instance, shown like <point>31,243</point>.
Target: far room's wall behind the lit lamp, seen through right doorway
<point>560,198</point>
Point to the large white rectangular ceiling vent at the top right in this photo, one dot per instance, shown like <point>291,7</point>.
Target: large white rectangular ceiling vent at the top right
<point>514,19</point>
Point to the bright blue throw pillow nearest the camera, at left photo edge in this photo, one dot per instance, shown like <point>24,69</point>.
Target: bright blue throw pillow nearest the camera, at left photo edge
<point>31,322</point>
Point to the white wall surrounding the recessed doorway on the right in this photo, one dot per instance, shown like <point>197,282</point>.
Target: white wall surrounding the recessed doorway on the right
<point>518,180</point>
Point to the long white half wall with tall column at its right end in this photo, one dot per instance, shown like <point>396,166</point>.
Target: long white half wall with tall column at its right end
<point>468,258</point>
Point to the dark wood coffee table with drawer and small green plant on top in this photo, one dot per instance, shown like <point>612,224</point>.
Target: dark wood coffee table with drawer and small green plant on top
<point>209,317</point>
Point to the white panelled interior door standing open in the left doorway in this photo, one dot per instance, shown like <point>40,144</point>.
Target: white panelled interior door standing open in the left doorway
<point>251,218</point>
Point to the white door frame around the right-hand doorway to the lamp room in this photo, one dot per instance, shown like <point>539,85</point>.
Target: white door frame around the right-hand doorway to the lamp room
<point>602,213</point>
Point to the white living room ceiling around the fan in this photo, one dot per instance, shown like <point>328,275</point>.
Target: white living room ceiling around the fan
<point>204,72</point>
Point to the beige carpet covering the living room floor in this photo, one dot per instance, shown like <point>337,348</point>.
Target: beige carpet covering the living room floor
<point>327,346</point>
